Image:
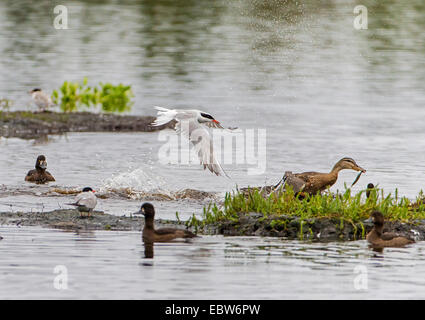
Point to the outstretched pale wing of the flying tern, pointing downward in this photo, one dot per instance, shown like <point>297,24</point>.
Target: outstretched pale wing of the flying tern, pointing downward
<point>200,138</point>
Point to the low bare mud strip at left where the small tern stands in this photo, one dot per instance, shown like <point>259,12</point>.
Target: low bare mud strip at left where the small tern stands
<point>71,220</point>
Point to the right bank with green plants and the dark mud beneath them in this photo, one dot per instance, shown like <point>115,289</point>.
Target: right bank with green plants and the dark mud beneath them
<point>336,216</point>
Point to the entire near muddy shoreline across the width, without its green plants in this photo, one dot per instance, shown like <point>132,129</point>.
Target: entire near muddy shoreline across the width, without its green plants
<point>251,224</point>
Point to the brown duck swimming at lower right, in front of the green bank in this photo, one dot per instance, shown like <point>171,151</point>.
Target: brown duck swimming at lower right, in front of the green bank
<point>378,239</point>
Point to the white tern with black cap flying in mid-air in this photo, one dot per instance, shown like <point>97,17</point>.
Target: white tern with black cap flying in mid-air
<point>190,123</point>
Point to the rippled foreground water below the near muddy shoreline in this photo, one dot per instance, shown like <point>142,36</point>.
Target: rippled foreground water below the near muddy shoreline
<point>112,265</point>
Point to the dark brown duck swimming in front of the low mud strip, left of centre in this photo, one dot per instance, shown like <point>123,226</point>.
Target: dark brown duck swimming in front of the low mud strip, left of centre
<point>150,234</point>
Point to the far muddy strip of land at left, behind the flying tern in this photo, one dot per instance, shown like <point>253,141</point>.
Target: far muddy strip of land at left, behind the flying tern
<point>34,125</point>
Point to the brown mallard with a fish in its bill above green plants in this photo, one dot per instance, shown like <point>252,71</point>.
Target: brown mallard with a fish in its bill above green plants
<point>313,182</point>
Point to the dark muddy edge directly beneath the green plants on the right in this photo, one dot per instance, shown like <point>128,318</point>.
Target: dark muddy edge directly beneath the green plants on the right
<point>324,229</point>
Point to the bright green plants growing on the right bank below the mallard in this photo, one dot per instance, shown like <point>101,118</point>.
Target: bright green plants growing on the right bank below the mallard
<point>345,207</point>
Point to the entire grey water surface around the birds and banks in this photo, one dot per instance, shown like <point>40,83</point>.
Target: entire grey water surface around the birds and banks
<point>320,88</point>
